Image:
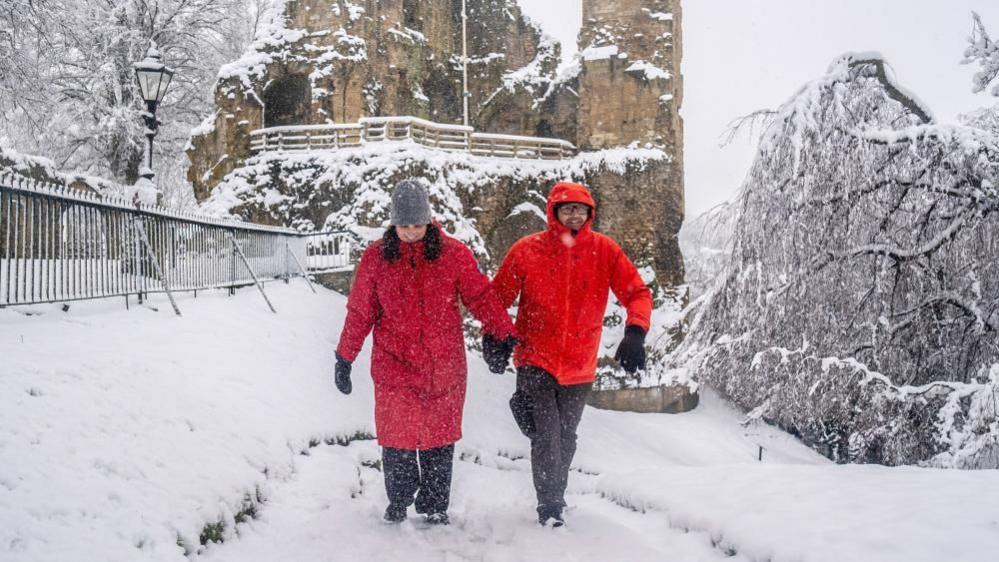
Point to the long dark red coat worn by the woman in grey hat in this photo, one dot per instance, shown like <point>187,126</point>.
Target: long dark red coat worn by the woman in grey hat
<point>418,357</point>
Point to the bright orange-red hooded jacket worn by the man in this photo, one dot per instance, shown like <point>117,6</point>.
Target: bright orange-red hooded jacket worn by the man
<point>563,283</point>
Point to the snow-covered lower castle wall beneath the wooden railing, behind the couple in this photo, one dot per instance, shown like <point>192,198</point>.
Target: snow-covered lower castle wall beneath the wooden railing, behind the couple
<point>486,202</point>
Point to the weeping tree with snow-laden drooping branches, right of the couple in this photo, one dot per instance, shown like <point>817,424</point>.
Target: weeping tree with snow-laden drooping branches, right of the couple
<point>860,306</point>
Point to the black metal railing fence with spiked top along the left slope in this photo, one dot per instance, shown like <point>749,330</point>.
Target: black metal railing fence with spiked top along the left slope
<point>59,245</point>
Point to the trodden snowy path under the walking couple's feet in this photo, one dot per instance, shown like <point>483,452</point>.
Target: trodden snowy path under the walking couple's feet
<point>332,510</point>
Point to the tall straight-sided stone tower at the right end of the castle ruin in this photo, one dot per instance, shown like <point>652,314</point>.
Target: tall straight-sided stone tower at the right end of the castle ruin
<point>630,91</point>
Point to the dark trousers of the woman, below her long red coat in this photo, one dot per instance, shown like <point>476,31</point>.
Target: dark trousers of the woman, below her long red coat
<point>423,474</point>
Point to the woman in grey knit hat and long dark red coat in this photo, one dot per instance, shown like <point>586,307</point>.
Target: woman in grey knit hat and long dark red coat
<point>407,289</point>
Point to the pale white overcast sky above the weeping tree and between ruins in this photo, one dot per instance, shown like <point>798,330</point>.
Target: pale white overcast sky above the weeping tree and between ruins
<point>743,55</point>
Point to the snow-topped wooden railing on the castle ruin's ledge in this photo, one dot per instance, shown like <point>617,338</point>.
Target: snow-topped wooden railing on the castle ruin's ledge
<point>420,131</point>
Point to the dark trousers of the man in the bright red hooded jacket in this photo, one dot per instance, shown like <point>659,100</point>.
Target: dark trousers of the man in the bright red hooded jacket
<point>548,413</point>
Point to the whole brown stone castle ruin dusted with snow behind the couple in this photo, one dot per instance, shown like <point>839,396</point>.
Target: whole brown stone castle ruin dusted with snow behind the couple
<point>326,62</point>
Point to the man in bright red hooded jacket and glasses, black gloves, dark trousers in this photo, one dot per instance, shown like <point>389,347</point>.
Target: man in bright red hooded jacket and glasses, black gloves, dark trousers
<point>563,276</point>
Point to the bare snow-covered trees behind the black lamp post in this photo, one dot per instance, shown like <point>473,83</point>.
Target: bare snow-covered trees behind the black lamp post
<point>68,88</point>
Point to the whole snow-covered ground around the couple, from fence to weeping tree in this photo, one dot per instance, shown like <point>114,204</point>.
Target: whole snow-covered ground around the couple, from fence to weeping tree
<point>124,433</point>
